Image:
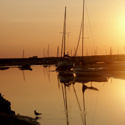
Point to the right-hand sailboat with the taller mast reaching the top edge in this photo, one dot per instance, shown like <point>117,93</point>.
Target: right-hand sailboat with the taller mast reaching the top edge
<point>81,68</point>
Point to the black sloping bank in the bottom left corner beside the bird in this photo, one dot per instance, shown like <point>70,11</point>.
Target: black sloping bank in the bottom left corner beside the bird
<point>8,117</point>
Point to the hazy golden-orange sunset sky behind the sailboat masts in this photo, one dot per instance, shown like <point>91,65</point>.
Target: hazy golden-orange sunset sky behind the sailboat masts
<point>32,25</point>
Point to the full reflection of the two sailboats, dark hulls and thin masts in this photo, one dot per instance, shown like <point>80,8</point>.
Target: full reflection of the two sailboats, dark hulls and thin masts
<point>68,79</point>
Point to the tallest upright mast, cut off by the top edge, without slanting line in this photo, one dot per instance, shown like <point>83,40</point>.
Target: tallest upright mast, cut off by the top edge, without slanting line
<point>83,20</point>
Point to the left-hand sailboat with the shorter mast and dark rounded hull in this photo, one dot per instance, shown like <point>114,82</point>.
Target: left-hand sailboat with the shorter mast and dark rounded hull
<point>64,64</point>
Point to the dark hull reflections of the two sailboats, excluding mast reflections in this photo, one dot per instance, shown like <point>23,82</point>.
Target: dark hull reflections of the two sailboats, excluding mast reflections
<point>69,77</point>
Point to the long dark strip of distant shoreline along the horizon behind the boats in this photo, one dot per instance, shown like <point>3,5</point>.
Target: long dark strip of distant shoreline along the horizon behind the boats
<point>53,60</point>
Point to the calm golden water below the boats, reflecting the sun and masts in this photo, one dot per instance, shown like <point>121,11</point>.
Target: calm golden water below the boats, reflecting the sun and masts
<point>41,89</point>
